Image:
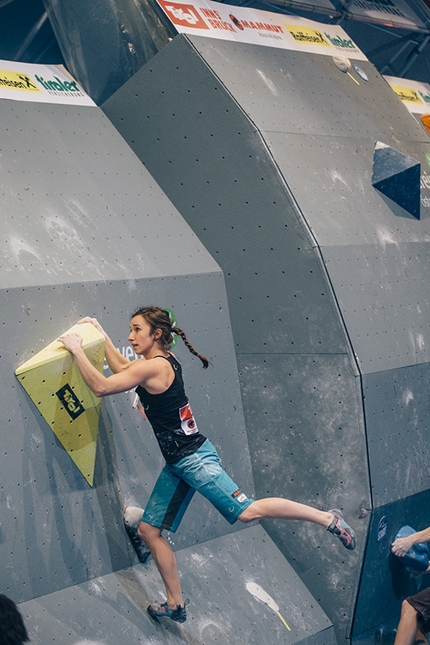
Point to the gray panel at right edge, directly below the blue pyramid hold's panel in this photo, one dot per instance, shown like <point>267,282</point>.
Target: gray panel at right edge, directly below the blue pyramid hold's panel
<point>384,299</point>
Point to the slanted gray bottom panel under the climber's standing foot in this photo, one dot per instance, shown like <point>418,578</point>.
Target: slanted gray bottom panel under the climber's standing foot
<point>112,609</point>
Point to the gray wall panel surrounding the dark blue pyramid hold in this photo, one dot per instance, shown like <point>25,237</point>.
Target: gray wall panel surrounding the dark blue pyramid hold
<point>333,185</point>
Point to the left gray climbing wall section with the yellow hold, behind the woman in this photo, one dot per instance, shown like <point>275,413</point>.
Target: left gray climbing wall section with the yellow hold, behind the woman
<point>86,230</point>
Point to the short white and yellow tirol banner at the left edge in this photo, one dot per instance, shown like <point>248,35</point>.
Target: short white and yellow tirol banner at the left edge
<point>40,83</point>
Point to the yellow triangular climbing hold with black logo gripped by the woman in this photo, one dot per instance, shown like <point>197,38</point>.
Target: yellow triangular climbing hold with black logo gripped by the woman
<point>56,387</point>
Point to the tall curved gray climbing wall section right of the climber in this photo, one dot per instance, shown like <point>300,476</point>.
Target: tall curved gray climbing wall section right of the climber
<point>271,156</point>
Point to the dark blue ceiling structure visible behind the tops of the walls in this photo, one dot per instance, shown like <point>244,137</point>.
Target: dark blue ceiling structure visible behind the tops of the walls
<point>26,34</point>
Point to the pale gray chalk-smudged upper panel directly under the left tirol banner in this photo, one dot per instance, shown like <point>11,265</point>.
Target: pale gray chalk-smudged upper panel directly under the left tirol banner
<point>77,204</point>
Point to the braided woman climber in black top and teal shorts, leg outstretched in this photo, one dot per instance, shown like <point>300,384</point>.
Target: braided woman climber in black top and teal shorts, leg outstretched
<point>192,463</point>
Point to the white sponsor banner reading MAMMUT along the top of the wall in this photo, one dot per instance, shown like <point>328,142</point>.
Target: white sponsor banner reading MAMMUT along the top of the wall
<point>241,24</point>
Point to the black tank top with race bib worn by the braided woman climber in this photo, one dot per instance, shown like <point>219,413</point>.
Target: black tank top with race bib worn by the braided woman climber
<point>171,418</point>
